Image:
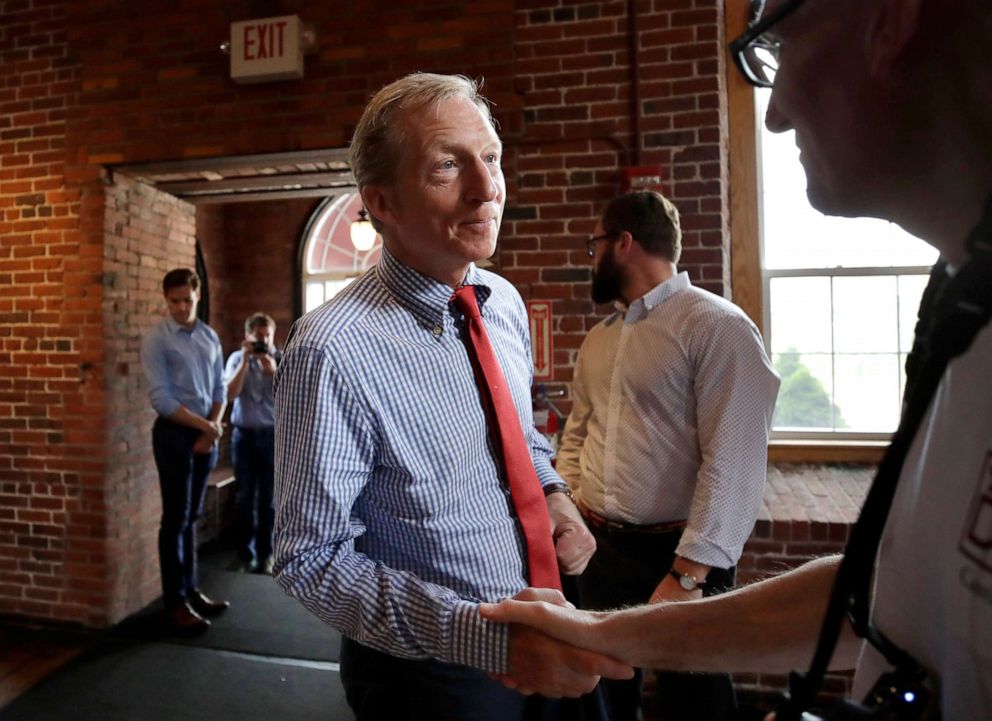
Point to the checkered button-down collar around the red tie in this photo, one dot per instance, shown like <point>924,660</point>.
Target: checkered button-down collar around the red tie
<point>426,298</point>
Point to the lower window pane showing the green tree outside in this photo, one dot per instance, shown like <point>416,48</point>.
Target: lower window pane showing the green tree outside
<point>805,397</point>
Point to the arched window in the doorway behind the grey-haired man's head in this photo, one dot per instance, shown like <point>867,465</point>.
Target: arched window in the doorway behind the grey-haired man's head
<point>330,261</point>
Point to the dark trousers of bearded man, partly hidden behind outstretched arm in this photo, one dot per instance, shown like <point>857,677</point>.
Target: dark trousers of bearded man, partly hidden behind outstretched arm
<point>626,569</point>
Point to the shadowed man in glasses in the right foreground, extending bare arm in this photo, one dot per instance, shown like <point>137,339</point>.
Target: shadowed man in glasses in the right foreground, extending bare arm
<point>891,102</point>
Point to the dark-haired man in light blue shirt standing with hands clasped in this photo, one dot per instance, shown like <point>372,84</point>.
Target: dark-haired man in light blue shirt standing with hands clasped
<point>183,364</point>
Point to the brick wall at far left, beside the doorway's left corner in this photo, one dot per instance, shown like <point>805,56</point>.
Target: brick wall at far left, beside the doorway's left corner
<point>52,402</point>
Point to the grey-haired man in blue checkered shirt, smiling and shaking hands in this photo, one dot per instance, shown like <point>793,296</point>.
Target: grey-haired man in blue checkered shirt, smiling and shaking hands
<point>393,516</point>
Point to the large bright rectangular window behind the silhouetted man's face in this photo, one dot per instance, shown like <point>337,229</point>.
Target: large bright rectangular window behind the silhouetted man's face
<point>840,303</point>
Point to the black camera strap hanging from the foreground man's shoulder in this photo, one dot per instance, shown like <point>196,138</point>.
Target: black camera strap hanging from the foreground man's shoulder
<point>961,307</point>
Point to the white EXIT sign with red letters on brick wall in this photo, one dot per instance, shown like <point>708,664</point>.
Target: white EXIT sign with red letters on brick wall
<point>266,49</point>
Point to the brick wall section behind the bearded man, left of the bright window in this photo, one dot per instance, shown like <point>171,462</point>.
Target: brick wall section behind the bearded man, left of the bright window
<point>603,89</point>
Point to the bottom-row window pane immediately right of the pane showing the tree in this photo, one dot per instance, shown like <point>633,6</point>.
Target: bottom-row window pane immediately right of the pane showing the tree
<point>867,391</point>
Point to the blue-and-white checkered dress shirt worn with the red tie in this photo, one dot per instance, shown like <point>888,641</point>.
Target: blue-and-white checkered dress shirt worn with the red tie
<point>393,520</point>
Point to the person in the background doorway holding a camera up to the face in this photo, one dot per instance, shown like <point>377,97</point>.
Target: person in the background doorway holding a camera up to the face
<point>249,374</point>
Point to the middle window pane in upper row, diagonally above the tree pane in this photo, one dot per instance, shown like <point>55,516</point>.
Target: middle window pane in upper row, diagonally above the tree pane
<point>865,315</point>
